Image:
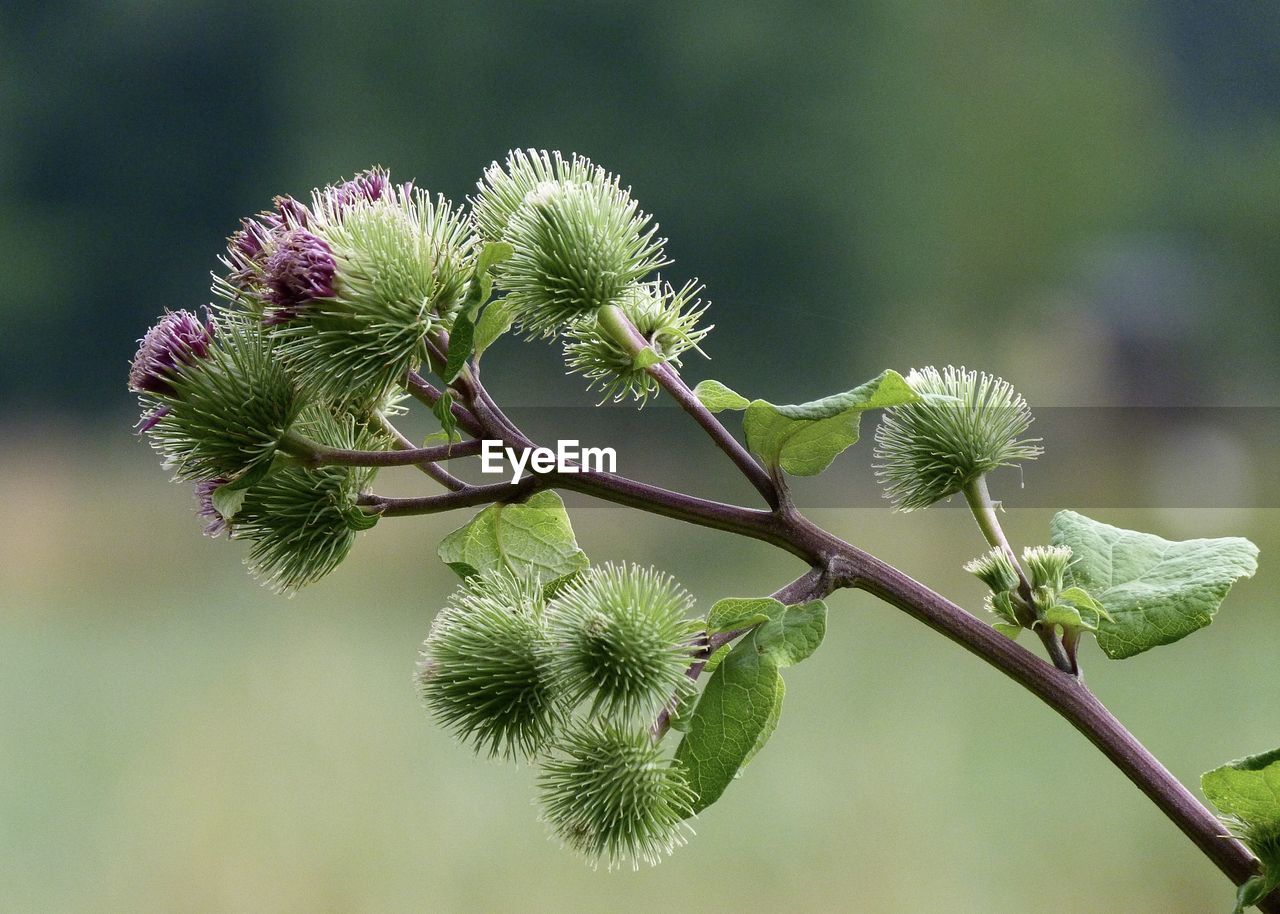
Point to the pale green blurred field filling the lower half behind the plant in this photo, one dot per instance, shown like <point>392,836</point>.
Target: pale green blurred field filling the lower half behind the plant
<point>180,739</point>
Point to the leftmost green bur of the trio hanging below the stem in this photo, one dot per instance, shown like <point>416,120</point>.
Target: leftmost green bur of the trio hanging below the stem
<point>486,669</point>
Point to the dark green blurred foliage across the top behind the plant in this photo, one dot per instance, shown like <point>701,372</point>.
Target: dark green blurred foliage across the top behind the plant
<point>1108,167</point>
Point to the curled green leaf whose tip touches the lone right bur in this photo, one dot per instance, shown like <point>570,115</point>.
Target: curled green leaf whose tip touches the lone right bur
<point>806,438</point>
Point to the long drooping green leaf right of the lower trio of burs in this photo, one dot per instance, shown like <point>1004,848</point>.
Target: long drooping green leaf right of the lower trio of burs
<point>740,706</point>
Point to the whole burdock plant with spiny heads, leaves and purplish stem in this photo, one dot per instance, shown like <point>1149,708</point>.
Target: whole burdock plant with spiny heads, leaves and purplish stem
<point>280,405</point>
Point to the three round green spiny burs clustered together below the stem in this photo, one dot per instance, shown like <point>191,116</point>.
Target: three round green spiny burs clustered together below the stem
<point>573,683</point>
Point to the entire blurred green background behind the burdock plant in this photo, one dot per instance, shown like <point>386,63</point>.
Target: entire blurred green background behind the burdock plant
<point>1084,198</point>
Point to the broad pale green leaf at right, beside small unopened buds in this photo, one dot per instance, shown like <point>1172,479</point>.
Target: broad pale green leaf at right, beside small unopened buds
<point>1154,591</point>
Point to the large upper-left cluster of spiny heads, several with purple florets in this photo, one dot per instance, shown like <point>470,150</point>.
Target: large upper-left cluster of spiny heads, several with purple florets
<point>327,304</point>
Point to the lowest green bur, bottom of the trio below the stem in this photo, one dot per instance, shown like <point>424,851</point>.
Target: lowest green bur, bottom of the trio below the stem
<point>610,794</point>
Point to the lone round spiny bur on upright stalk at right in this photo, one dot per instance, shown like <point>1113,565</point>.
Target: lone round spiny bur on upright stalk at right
<point>966,426</point>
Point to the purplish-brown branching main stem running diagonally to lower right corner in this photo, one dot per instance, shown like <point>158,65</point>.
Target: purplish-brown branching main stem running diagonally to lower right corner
<point>834,565</point>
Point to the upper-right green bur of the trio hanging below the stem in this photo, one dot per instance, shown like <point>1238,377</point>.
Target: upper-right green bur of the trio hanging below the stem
<point>623,636</point>
